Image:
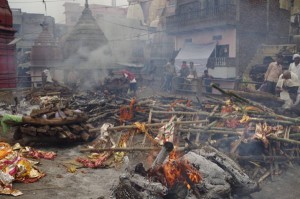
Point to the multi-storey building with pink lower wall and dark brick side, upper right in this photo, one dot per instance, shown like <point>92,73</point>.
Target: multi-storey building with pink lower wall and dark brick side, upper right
<point>237,27</point>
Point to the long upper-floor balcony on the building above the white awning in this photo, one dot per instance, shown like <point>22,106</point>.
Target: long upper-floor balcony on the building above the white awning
<point>222,15</point>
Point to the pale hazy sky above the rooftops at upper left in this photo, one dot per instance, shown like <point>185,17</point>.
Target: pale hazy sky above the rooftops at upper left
<point>54,7</point>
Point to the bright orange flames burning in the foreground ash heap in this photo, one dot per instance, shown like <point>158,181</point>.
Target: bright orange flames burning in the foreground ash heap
<point>178,170</point>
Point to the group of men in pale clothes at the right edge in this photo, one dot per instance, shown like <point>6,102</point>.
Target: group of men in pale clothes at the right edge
<point>284,82</point>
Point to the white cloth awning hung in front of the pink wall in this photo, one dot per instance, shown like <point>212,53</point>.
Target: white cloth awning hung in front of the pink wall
<point>197,53</point>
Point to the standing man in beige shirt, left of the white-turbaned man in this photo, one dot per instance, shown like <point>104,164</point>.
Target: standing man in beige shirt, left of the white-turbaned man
<point>272,74</point>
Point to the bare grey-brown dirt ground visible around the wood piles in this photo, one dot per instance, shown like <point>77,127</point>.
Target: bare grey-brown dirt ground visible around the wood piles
<point>98,183</point>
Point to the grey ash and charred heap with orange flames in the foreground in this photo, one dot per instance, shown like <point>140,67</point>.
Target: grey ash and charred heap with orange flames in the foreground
<point>185,173</point>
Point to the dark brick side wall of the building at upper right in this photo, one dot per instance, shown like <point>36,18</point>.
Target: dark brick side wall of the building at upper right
<point>253,29</point>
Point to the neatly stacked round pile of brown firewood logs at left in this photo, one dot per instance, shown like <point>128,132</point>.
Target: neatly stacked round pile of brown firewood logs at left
<point>58,123</point>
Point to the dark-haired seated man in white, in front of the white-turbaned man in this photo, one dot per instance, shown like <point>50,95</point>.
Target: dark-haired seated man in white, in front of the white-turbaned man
<point>288,82</point>
